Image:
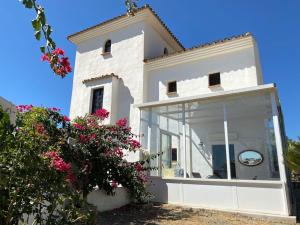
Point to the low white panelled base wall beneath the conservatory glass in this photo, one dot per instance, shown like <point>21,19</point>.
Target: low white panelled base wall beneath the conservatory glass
<point>241,196</point>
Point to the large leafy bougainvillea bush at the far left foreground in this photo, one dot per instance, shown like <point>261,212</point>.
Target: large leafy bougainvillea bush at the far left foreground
<point>34,178</point>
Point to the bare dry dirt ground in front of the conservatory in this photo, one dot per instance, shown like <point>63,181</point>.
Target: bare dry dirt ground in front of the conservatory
<point>164,214</point>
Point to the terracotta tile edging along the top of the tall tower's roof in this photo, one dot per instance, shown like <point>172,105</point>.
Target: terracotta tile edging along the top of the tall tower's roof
<point>126,15</point>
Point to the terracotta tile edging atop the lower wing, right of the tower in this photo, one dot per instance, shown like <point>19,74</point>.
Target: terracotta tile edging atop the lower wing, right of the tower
<point>236,37</point>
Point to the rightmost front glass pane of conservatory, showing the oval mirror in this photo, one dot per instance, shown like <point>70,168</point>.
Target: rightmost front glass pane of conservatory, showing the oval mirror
<point>250,128</point>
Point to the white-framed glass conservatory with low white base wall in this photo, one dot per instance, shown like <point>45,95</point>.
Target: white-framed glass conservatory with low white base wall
<point>218,146</point>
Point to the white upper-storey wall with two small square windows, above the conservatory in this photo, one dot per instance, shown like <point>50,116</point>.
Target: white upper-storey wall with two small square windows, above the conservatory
<point>237,68</point>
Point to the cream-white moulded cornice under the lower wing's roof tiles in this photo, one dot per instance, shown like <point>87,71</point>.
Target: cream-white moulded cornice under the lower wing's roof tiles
<point>200,53</point>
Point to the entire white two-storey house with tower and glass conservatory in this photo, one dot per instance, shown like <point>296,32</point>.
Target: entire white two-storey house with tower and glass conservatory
<point>206,108</point>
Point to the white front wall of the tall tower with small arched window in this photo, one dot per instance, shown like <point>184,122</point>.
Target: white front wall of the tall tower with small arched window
<point>126,61</point>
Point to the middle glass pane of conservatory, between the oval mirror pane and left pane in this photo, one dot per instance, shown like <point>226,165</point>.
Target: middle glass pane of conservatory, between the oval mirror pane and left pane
<point>206,152</point>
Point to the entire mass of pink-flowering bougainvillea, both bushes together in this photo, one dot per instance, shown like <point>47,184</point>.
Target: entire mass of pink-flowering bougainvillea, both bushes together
<point>45,158</point>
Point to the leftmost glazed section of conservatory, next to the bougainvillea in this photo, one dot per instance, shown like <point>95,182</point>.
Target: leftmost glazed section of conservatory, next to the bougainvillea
<point>166,137</point>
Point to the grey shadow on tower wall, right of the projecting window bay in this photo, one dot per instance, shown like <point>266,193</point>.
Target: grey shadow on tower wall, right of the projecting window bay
<point>125,100</point>
